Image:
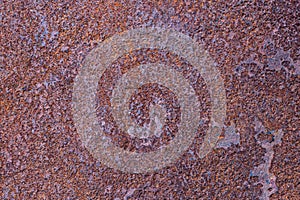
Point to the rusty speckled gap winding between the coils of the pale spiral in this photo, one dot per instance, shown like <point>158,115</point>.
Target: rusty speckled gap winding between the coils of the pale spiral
<point>170,102</point>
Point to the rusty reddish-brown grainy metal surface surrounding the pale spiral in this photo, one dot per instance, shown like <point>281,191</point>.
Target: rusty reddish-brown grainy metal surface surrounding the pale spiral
<point>255,47</point>
